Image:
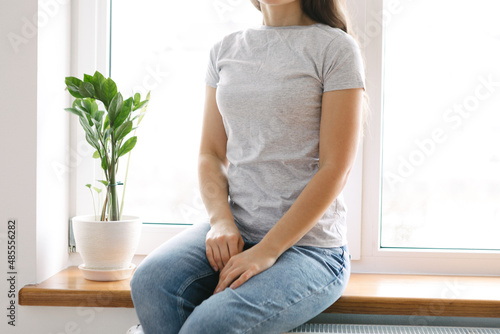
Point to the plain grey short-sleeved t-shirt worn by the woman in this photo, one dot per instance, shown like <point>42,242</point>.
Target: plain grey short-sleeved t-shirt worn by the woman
<point>270,82</point>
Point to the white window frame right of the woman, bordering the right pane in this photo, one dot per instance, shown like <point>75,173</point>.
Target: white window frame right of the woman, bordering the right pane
<point>391,260</point>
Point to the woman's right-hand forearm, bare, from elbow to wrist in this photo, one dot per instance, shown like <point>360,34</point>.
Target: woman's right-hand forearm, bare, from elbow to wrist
<point>308,208</point>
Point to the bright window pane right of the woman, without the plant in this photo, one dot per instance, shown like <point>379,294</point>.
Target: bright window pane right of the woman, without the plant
<point>441,134</point>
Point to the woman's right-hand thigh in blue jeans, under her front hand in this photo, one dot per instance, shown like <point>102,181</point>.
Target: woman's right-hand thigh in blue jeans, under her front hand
<point>301,284</point>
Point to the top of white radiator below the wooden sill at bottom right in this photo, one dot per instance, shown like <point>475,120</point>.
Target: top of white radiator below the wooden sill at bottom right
<point>381,329</point>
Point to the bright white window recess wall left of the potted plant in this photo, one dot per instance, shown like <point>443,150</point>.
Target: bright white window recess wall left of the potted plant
<point>53,164</point>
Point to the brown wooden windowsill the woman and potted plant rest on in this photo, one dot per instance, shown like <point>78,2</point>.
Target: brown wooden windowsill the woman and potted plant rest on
<point>383,294</point>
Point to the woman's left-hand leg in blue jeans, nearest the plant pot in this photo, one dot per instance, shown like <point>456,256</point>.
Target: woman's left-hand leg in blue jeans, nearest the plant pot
<point>172,281</point>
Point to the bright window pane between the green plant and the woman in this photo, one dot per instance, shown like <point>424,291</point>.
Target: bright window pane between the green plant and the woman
<point>163,46</point>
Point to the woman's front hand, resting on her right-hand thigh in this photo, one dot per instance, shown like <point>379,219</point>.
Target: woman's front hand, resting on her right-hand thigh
<point>245,265</point>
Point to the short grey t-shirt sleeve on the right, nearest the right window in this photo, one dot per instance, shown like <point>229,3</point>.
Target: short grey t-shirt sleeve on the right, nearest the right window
<point>343,65</point>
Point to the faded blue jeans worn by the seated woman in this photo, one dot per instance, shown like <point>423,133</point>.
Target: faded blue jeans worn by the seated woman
<point>172,289</point>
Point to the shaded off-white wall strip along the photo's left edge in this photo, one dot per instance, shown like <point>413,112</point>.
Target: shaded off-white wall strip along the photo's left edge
<point>18,141</point>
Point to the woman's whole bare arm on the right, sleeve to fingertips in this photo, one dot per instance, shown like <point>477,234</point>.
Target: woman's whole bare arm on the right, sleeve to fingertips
<point>341,122</point>
